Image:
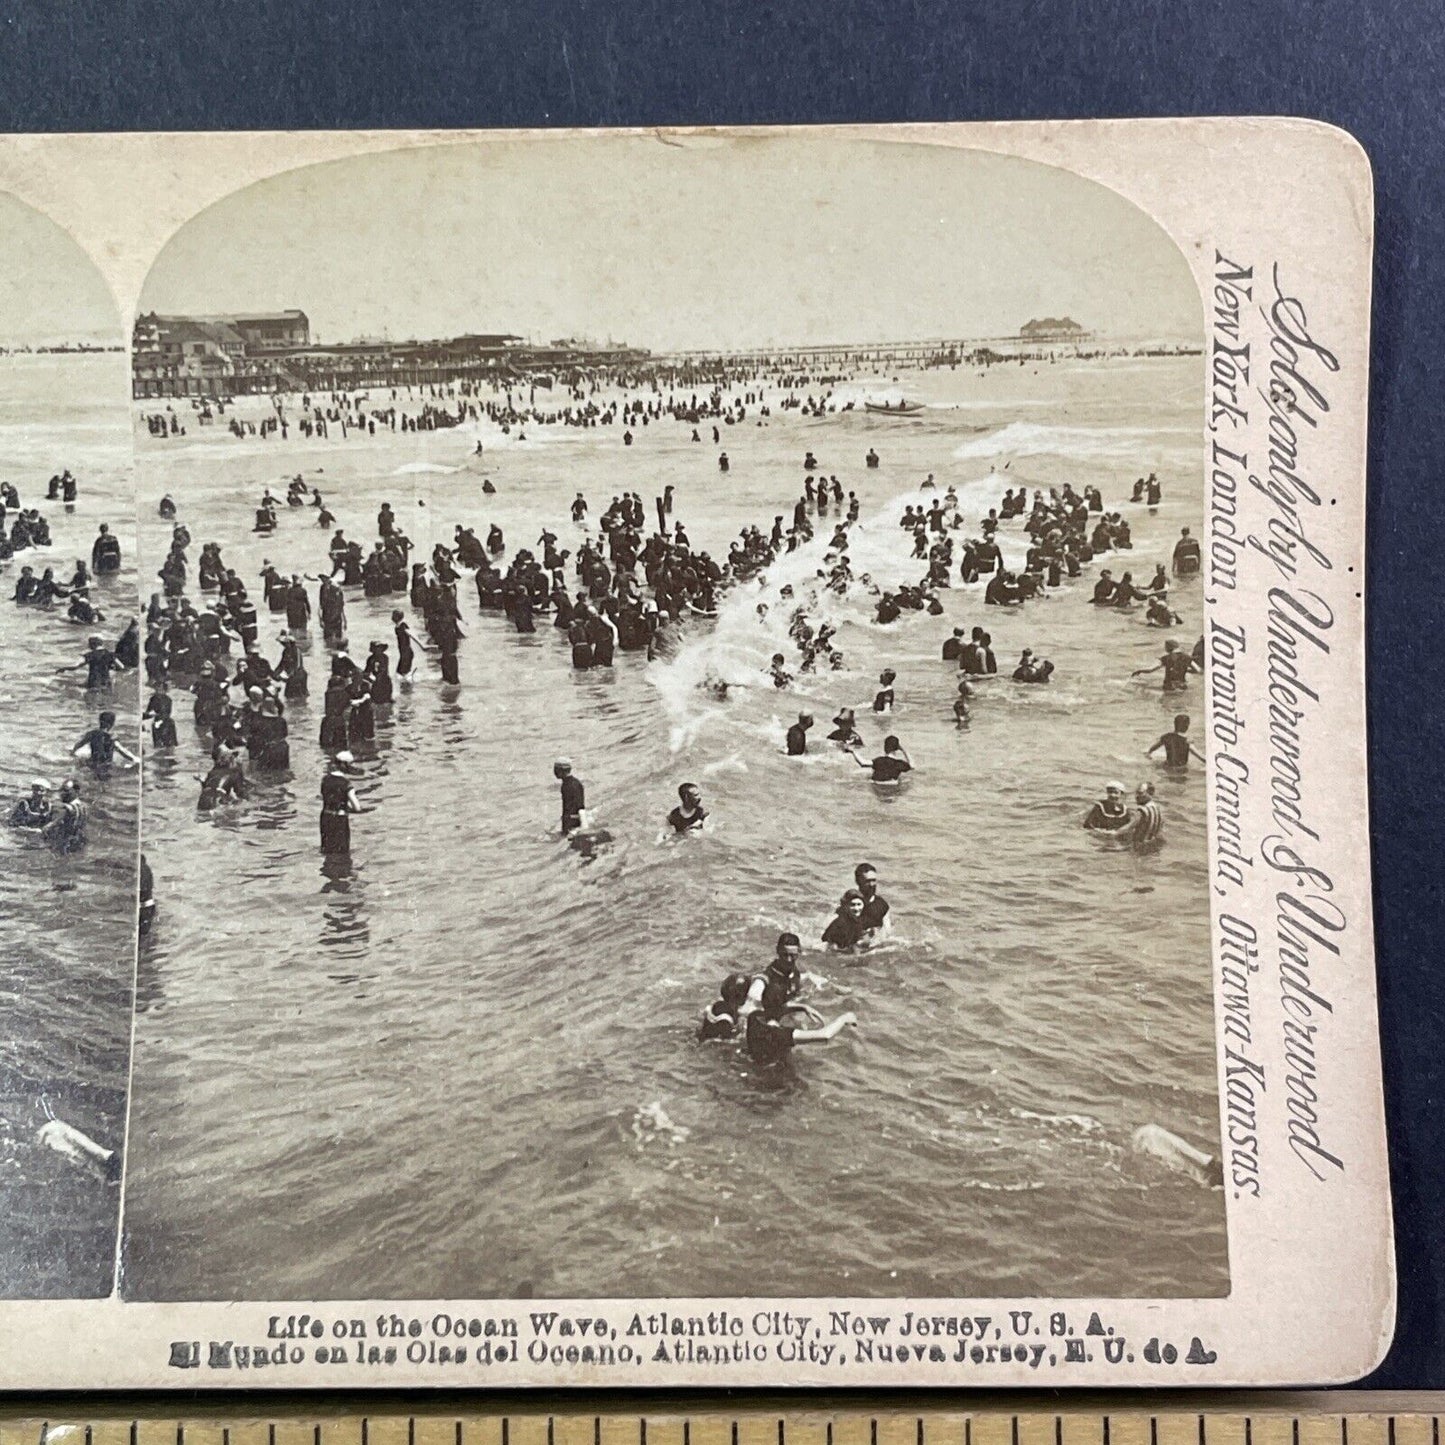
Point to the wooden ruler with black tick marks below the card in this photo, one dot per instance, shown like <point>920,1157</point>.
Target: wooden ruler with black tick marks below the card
<point>573,1420</point>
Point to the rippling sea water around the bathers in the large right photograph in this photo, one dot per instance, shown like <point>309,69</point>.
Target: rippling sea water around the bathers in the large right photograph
<point>463,1064</point>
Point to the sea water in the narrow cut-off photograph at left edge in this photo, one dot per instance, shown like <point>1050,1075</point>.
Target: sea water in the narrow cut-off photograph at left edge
<point>67,923</point>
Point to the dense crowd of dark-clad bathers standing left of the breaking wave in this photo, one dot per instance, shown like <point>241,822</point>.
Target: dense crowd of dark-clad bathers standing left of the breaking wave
<point>619,592</point>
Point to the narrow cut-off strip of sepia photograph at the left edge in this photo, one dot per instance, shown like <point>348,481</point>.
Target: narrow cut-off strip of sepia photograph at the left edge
<point>70,781</point>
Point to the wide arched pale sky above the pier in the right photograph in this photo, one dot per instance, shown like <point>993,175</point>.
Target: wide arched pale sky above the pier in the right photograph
<point>710,243</point>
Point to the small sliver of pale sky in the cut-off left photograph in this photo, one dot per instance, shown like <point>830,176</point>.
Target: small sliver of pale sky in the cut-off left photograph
<point>50,290</point>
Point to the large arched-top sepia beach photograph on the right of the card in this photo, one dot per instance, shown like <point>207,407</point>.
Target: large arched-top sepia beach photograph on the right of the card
<point>673,726</point>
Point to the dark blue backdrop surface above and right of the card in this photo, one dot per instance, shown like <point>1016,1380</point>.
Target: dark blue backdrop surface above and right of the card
<point>1373,67</point>
